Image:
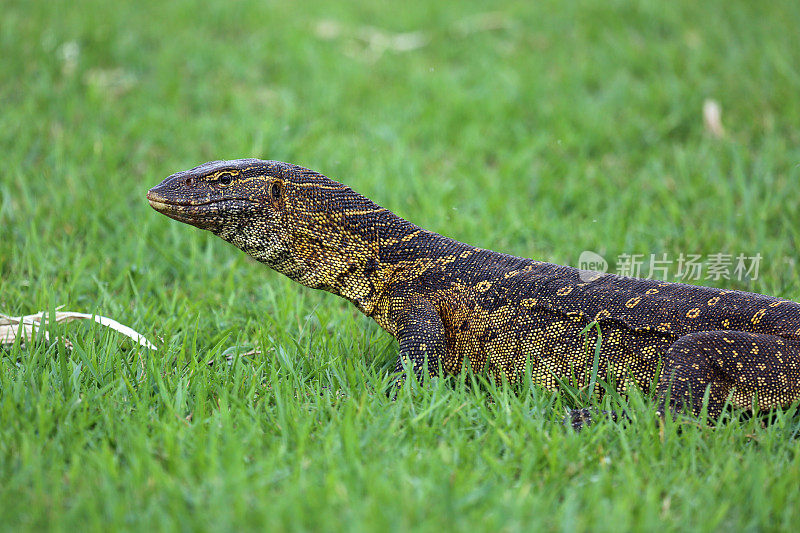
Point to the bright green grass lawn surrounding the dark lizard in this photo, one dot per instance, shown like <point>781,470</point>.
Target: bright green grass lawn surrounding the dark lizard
<point>541,129</point>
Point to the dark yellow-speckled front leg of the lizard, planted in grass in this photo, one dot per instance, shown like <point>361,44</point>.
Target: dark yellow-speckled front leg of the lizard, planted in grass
<point>422,342</point>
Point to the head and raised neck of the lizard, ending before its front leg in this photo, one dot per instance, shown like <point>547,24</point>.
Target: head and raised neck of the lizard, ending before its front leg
<point>311,228</point>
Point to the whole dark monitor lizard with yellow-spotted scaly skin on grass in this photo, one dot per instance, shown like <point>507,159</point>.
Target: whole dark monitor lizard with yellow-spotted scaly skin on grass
<point>446,301</point>
